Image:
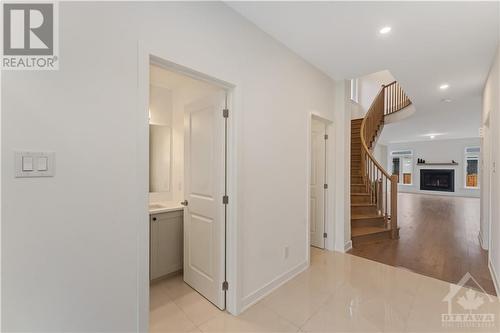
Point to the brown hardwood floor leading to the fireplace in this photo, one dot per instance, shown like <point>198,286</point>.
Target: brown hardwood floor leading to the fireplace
<point>438,238</point>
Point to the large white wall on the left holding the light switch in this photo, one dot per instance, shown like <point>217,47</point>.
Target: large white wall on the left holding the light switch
<point>69,243</point>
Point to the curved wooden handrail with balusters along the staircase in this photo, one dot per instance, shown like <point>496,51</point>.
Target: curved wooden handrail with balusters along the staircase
<point>378,182</point>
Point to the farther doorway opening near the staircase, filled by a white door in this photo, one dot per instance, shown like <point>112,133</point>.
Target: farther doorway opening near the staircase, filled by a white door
<point>318,181</point>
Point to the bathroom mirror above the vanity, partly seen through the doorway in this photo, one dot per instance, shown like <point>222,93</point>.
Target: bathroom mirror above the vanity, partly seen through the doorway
<point>160,158</point>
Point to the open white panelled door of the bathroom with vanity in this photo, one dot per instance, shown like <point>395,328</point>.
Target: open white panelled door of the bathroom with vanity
<point>204,211</point>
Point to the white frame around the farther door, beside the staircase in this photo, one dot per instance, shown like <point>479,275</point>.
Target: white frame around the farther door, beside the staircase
<point>330,177</point>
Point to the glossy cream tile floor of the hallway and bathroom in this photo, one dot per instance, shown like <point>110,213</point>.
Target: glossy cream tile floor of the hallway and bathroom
<point>338,293</point>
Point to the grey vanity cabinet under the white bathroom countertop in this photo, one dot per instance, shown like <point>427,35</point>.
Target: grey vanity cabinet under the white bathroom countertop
<point>166,237</point>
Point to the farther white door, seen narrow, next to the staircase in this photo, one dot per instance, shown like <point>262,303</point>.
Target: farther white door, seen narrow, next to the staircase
<point>317,183</point>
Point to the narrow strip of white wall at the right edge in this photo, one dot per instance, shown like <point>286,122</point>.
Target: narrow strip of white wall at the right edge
<point>490,210</point>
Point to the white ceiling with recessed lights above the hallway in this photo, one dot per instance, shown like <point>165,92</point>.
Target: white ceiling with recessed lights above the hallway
<point>430,43</point>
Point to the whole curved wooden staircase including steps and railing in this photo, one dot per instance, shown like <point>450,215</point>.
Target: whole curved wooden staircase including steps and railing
<point>373,190</point>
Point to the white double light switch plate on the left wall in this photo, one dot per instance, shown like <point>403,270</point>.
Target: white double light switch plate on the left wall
<point>42,164</point>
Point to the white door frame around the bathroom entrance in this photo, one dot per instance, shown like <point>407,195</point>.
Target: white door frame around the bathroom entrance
<point>147,55</point>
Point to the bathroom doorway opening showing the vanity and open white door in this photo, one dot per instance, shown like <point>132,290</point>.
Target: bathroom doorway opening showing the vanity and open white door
<point>188,198</point>
